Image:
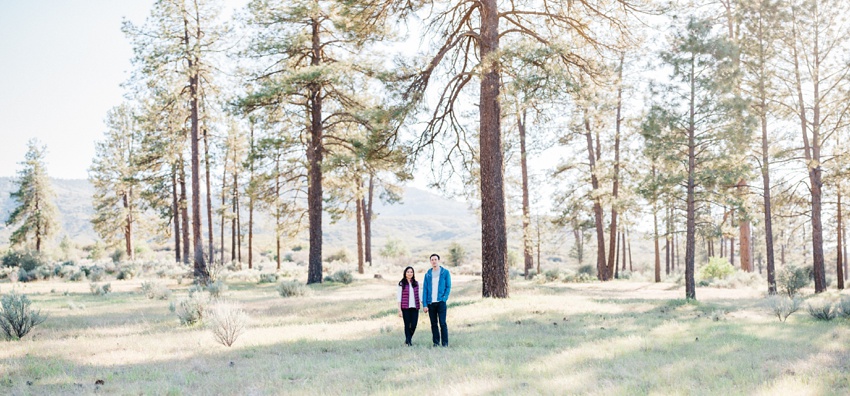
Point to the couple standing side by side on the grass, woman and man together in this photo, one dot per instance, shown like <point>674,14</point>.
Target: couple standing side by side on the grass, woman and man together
<point>435,293</point>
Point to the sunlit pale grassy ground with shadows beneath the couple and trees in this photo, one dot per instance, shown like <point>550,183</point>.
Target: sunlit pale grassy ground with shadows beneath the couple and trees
<point>620,337</point>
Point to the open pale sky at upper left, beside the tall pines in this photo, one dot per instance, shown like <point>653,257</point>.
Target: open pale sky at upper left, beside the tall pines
<point>61,66</point>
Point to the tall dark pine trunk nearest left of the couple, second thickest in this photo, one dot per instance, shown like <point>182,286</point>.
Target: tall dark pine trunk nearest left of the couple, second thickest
<point>314,157</point>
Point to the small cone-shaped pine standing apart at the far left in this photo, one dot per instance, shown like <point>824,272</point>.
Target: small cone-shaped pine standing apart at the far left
<point>35,214</point>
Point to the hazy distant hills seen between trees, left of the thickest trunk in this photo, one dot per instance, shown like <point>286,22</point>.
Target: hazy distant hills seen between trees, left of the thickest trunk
<point>423,221</point>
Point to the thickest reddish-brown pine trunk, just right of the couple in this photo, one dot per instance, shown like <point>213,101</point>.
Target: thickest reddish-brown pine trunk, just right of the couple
<point>494,240</point>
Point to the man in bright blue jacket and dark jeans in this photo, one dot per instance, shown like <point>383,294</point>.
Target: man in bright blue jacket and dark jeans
<point>435,294</point>
